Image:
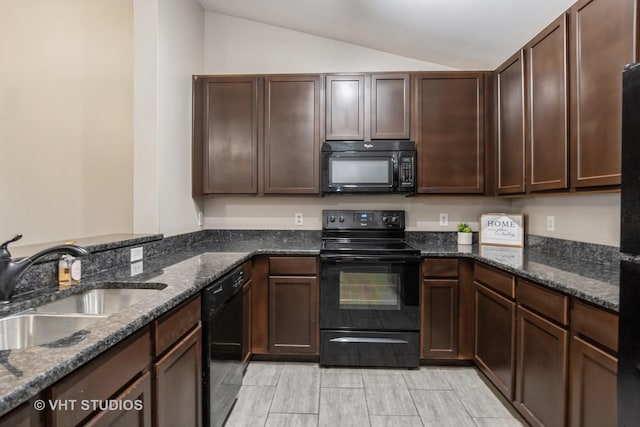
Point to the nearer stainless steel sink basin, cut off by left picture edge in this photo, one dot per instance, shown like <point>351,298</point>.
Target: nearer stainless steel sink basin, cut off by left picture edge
<point>27,330</point>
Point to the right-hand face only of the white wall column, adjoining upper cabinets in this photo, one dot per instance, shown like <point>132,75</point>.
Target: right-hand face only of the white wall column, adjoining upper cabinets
<point>180,55</point>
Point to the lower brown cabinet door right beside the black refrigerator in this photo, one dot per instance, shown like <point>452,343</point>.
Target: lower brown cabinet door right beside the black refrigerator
<point>593,386</point>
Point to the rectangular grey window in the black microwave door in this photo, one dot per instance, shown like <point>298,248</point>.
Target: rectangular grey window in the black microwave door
<point>361,171</point>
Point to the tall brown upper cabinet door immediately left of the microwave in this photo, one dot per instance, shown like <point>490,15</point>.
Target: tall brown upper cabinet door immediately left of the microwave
<point>292,134</point>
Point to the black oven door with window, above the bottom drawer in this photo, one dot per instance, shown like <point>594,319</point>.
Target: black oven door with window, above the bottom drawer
<point>370,292</point>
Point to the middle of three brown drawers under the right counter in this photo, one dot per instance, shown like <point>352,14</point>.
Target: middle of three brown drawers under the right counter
<point>551,304</point>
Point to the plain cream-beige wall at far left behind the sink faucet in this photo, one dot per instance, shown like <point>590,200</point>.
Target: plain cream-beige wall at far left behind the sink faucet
<point>66,119</point>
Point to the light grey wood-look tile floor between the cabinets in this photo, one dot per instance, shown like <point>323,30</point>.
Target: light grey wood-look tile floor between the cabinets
<point>303,394</point>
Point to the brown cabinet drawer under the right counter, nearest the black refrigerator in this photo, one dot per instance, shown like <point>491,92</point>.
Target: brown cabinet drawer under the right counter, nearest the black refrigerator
<point>595,323</point>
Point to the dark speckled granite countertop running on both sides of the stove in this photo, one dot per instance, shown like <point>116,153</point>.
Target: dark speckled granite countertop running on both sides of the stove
<point>24,373</point>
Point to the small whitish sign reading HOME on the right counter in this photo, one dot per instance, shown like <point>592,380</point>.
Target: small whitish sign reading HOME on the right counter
<point>502,229</point>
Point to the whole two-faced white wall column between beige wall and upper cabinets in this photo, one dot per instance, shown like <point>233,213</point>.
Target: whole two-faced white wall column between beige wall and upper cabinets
<point>169,50</point>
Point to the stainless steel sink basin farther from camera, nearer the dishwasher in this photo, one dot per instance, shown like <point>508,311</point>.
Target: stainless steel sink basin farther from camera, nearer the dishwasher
<point>97,301</point>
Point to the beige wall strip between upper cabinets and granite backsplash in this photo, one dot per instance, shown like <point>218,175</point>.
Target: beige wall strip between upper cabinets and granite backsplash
<point>583,218</point>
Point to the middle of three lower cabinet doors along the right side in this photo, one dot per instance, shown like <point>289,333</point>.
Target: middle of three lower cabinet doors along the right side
<point>541,377</point>
